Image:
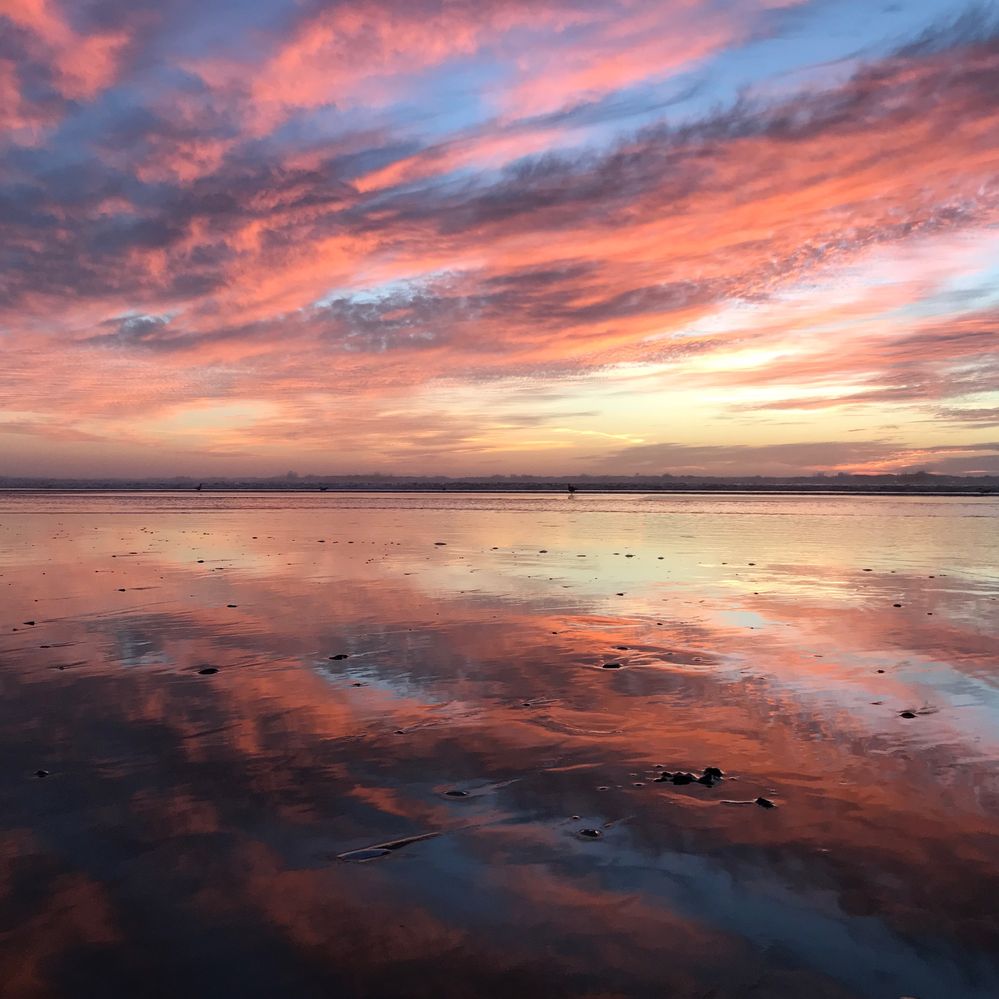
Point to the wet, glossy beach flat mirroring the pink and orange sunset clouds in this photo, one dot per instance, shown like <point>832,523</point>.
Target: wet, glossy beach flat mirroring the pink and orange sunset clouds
<point>324,745</point>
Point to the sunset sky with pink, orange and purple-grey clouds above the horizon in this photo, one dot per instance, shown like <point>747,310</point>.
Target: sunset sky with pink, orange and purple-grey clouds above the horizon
<point>498,236</point>
